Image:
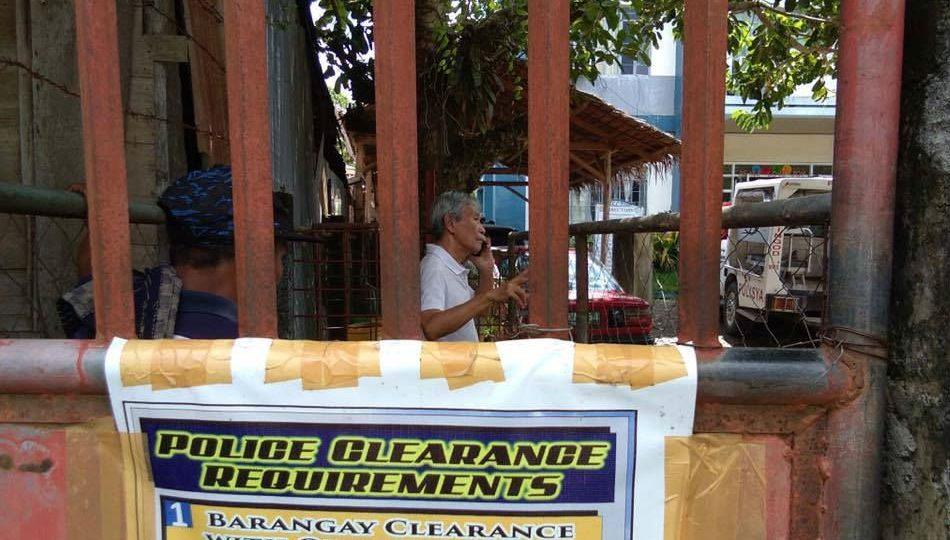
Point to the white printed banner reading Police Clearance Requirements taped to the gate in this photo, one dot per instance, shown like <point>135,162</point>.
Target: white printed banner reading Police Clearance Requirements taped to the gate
<point>261,439</point>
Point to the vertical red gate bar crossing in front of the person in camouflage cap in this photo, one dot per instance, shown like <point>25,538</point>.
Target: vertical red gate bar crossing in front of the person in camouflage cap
<point>249,129</point>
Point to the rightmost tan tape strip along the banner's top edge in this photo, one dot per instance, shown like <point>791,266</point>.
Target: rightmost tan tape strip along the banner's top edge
<point>638,366</point>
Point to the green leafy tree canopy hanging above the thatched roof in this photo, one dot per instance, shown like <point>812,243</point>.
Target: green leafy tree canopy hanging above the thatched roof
<point>470,61</point>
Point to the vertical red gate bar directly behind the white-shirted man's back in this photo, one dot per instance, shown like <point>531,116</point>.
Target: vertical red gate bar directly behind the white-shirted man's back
<point>398,168</point>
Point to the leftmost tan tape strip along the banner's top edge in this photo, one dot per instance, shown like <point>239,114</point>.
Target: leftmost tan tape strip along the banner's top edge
<point>176,363</point>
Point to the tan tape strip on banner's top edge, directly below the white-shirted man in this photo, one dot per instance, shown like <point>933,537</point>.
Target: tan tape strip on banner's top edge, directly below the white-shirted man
<point>462,364</point>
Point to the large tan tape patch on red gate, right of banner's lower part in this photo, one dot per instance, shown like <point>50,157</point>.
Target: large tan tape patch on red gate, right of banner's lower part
<point>715,488</point>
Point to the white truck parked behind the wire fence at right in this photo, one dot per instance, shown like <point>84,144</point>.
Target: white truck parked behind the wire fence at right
<point>773,272</point>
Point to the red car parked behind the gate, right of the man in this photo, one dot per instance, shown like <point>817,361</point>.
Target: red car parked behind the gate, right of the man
<point>614,315</point>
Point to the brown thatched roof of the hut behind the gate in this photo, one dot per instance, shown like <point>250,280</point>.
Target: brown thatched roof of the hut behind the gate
<point>598,131</point>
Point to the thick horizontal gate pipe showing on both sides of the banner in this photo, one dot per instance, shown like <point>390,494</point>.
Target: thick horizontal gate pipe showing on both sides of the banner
<point>734,376</point>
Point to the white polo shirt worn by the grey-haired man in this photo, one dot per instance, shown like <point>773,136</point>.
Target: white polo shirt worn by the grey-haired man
<point>445,285</point>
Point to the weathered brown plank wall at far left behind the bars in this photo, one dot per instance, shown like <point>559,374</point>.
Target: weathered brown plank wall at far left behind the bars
<point>41,144</point>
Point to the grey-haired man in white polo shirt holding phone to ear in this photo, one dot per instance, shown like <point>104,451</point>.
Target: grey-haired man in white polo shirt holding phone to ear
<point>449,305</point>
